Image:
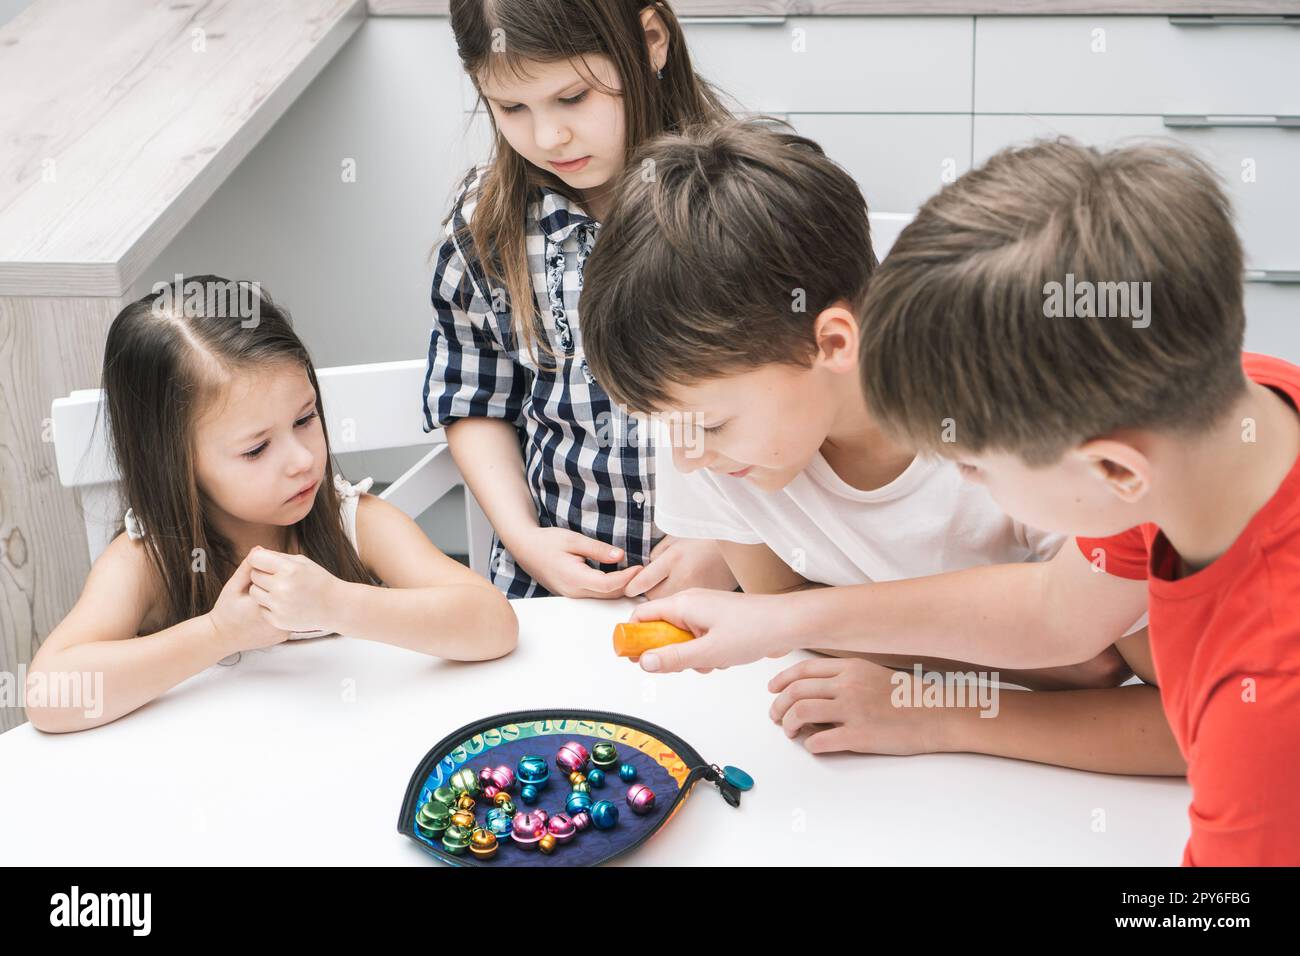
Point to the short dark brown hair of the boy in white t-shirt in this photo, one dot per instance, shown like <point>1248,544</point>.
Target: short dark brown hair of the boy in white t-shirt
<point>725,243</point>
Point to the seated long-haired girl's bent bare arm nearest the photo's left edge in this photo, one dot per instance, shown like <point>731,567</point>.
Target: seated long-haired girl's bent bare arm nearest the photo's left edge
<point>97,648</point>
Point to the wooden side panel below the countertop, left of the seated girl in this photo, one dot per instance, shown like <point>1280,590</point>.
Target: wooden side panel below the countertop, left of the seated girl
<point>49,347</point>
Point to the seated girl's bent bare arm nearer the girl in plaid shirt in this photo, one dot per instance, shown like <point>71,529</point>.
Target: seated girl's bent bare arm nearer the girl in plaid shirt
<point>432,604</point>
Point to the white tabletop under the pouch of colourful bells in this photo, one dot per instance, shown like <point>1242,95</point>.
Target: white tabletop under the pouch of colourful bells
<point>301,755</point>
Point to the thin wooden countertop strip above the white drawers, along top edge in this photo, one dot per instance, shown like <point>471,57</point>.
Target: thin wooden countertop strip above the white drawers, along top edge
<point>982,8</point>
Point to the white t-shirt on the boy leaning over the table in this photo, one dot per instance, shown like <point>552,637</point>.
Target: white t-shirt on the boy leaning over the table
<point>928,521</point>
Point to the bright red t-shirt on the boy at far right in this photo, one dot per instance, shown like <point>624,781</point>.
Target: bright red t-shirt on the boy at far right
<point>1227,648</point>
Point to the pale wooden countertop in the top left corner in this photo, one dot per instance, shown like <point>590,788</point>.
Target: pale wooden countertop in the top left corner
<point>116,127</point>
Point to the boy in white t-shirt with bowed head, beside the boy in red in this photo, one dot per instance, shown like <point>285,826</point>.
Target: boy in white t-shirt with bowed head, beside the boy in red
<point>723,299</point>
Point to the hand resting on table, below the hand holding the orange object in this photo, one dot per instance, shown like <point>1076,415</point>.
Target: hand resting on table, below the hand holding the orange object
<point>848,704</point>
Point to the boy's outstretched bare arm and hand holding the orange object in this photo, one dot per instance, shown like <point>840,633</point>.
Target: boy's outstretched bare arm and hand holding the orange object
<point>1020,617</point>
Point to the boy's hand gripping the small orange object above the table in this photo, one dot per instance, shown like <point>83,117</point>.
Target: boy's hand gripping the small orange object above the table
<point>730,629</point>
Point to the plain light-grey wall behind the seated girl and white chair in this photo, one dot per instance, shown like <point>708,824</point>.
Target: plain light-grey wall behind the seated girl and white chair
<point>350,259</point>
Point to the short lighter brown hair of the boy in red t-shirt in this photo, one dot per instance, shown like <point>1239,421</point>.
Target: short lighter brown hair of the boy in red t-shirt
<point>964,351</point>
